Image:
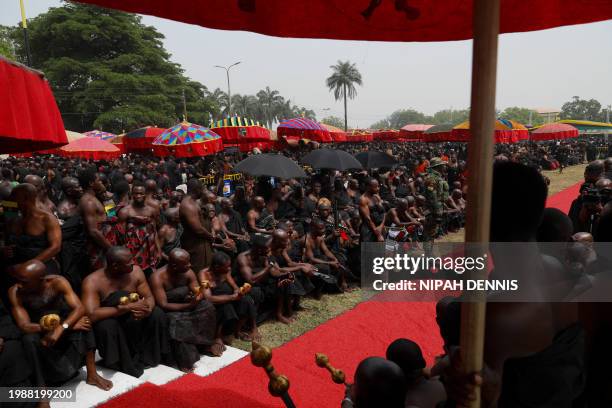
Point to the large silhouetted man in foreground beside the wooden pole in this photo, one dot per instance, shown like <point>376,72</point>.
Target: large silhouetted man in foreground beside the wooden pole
<point>534,351</point>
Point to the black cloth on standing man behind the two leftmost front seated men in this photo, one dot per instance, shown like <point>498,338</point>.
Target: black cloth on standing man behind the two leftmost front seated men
<point>73,258</point>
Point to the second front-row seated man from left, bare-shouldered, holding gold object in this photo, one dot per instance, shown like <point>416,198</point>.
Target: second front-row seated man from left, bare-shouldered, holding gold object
<point>130,336</point>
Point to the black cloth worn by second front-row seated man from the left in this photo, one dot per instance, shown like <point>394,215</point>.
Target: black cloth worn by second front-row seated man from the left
<point>130,345</point>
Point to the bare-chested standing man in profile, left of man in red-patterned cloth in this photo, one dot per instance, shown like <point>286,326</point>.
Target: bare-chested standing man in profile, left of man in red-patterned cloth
<point>98,227</point>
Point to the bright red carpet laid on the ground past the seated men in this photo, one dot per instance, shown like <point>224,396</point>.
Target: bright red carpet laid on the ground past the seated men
<point>363,331</point>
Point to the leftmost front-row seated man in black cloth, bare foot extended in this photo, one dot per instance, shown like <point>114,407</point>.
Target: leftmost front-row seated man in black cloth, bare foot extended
<point>55,352</point>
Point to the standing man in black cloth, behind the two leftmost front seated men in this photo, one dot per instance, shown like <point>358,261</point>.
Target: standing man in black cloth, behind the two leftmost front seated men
<point>73,256</point>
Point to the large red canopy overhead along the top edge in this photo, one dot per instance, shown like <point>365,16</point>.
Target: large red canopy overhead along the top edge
<point>414,20</point>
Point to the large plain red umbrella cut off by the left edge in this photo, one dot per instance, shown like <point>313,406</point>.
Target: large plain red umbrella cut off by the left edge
<point>29,117</point>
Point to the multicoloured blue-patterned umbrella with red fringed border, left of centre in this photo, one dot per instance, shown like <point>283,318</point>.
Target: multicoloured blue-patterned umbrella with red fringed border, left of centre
<point>187,140</point>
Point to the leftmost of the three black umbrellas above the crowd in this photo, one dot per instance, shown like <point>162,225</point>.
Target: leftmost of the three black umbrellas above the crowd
<point>271,165</point>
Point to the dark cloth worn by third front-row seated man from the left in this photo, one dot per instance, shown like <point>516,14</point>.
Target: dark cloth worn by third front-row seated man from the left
<point>189,329</point>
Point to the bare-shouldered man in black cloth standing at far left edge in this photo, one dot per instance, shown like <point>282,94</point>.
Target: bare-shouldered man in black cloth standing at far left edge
<point>36,234</point>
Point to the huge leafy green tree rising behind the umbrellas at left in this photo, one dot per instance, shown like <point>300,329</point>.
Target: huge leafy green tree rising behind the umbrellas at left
<point>110,71</point>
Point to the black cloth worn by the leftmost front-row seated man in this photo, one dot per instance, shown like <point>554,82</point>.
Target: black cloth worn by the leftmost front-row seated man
<point>55,365</point>
